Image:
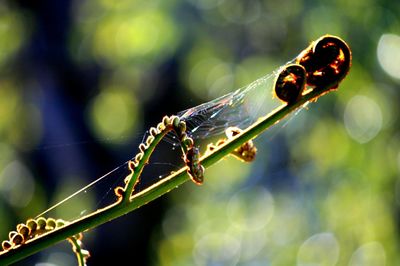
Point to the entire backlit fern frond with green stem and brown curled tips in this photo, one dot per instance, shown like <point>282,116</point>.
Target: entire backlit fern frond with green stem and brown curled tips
<point>317,70</point>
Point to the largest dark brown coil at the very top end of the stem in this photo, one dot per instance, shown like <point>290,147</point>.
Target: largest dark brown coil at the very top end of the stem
<point>327,61</point>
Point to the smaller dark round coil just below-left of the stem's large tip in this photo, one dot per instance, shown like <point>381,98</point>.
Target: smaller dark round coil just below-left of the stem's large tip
<point>290,83</point>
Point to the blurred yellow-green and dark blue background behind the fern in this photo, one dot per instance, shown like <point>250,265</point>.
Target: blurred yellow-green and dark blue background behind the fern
<point>81,81</point>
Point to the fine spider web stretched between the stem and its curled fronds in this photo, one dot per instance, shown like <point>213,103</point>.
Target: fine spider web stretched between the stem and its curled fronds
<point>239,108</point>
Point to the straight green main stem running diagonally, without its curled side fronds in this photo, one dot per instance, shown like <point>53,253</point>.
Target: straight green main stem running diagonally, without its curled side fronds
<point>156,190</point>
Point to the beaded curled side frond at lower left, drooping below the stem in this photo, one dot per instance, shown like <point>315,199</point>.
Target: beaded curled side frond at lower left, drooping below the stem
<point>33,228</point>
